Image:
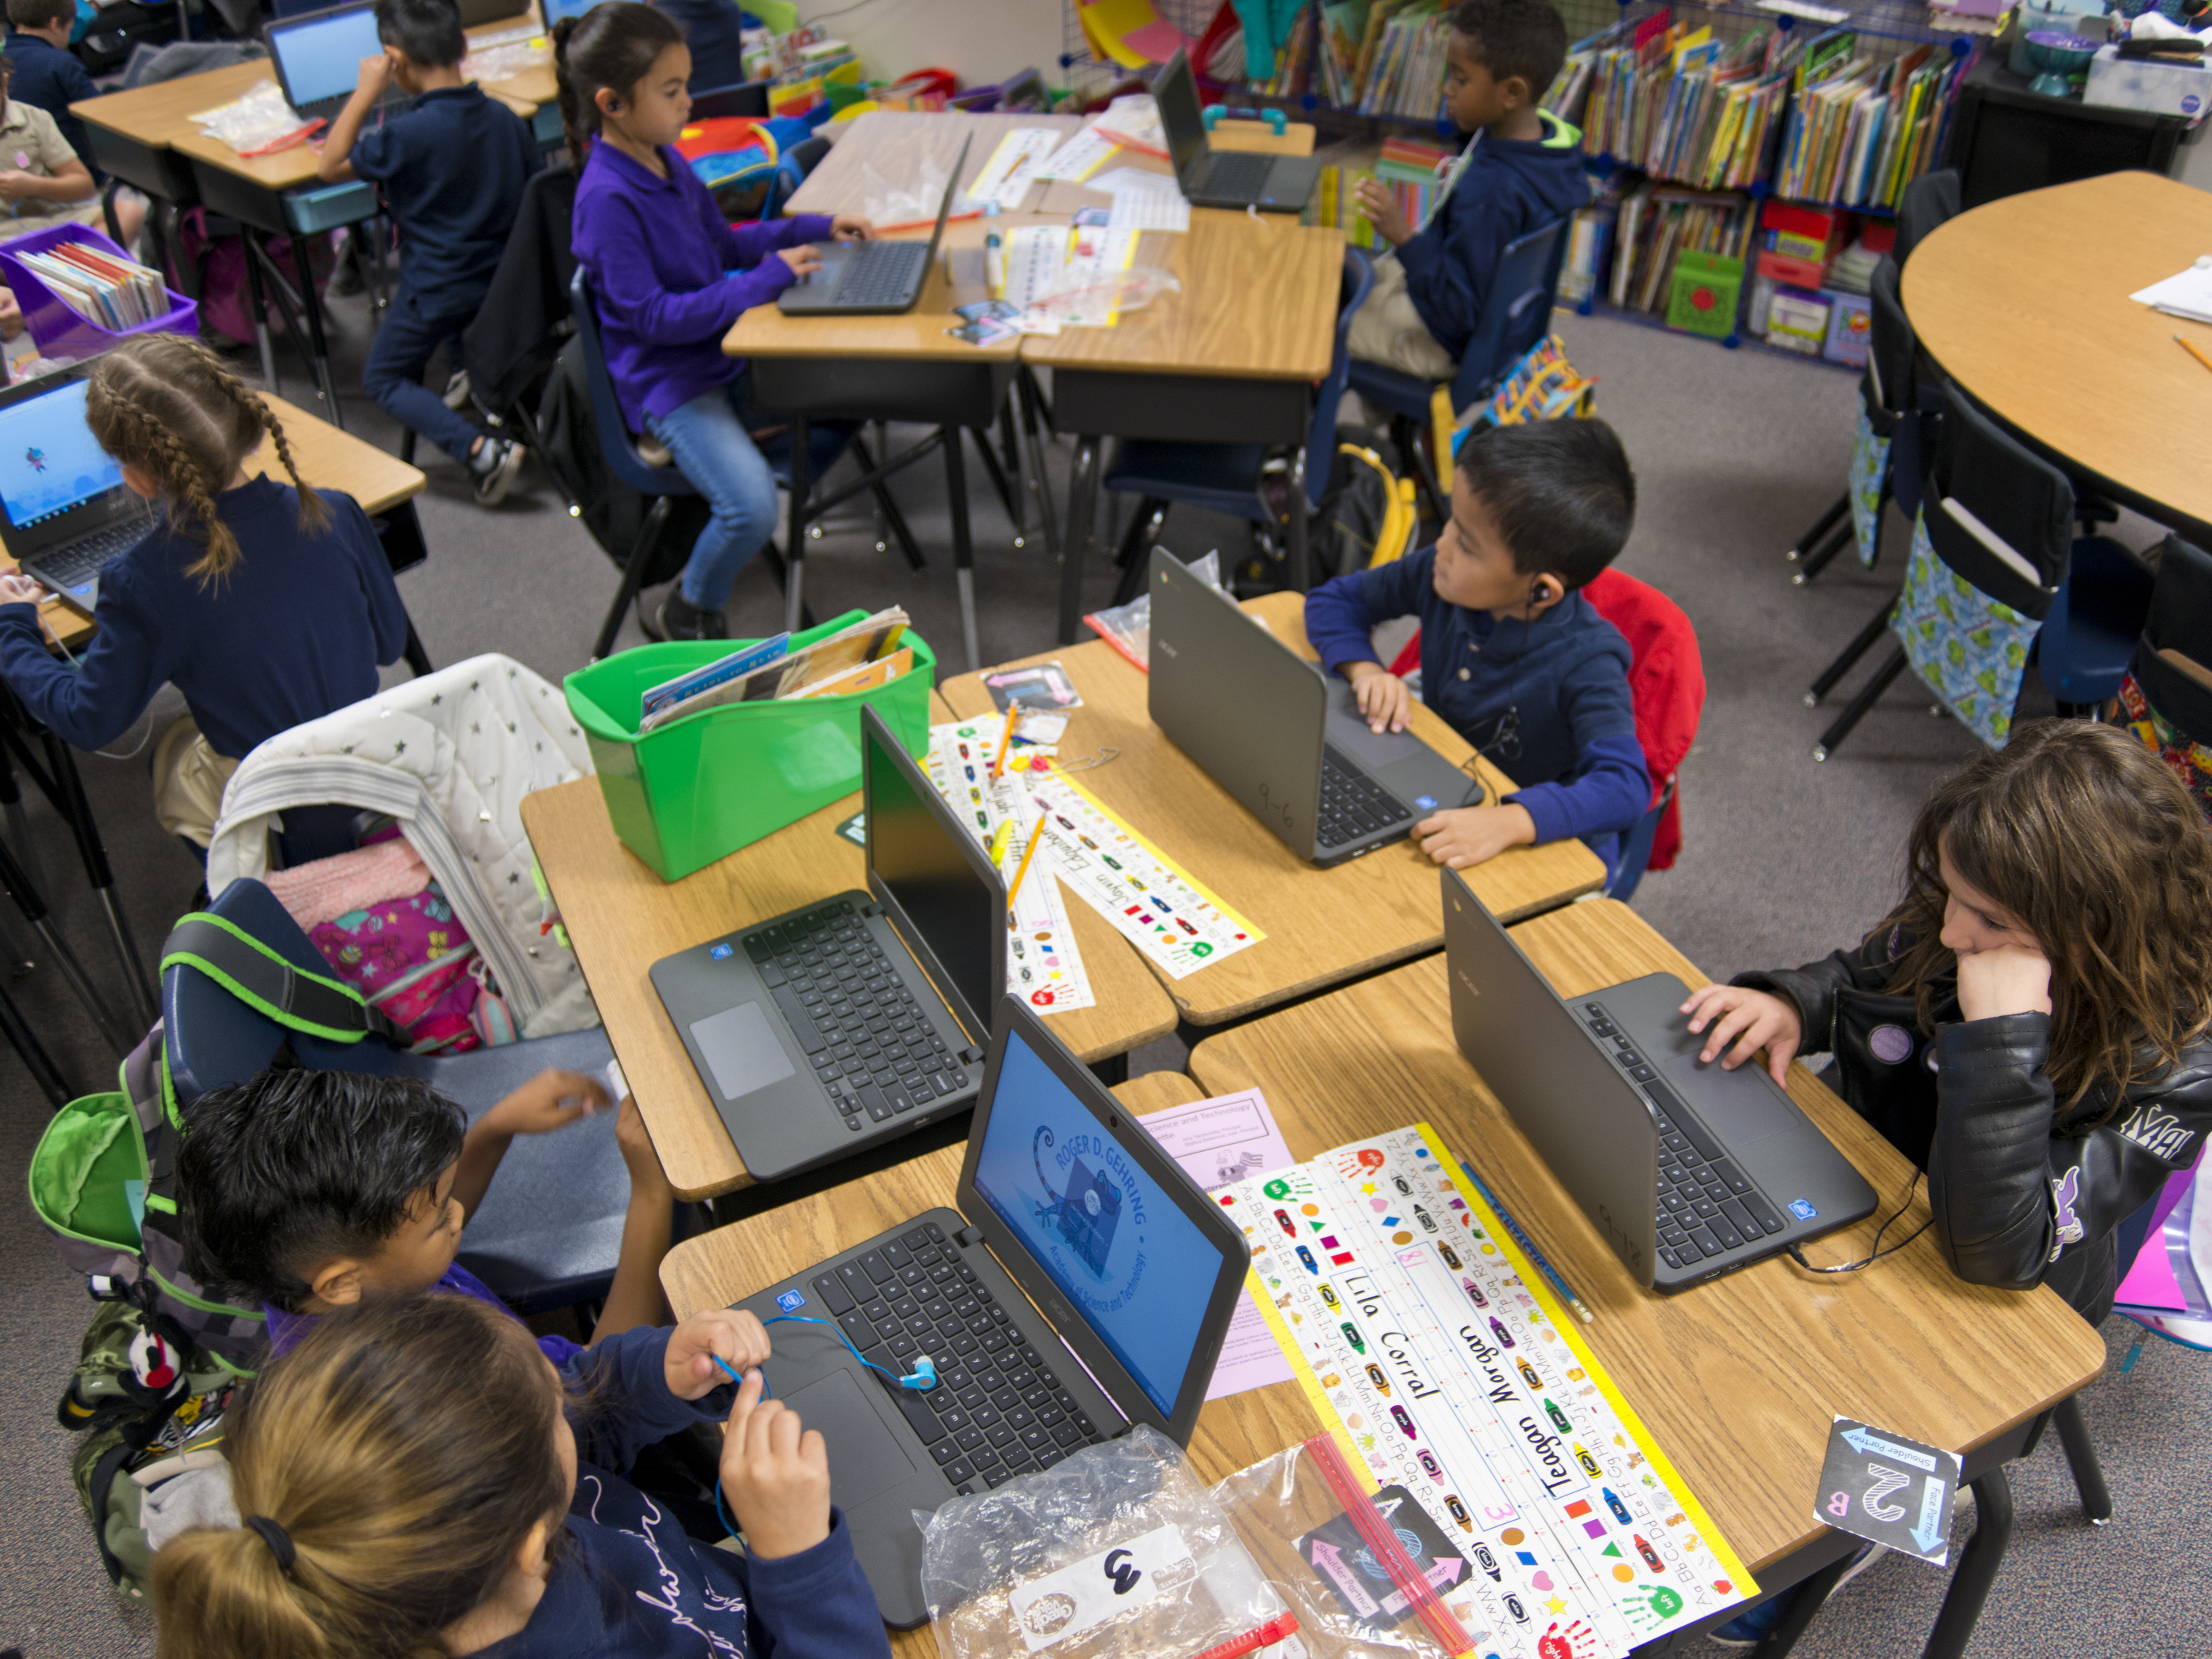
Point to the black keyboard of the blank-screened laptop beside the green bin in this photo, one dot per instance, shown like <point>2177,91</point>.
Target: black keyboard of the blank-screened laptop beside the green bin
<point>862,1027</point>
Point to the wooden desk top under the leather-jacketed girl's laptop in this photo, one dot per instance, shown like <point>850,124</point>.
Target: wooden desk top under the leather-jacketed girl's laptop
<point>1738,1379</point>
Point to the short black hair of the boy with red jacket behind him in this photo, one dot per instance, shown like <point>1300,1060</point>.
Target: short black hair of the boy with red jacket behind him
<point>1561,494</point>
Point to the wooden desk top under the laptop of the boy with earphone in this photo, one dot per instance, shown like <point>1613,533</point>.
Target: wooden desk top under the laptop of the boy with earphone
<point>1324,926</point>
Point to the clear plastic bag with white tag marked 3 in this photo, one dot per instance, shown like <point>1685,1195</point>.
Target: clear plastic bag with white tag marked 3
<point>1116,1554</point>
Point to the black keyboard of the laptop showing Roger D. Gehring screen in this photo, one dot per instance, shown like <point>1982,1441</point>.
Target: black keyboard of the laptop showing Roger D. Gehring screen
<point>999,1410</point>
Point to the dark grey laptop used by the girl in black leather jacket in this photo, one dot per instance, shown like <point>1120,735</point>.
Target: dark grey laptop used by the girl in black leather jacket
<point>1687,1169</point>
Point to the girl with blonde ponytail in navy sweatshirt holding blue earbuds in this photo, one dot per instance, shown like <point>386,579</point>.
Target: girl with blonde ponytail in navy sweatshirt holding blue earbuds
<point>413,1479</point>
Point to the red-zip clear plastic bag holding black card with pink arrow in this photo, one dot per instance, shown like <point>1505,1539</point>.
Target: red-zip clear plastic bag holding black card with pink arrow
<point>1368,1578</point>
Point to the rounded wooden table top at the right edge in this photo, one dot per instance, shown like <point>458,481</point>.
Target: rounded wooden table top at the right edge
<point>2025,304</point>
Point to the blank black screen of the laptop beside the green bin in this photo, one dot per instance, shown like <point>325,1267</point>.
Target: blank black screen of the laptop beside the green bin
<point>932,879</point>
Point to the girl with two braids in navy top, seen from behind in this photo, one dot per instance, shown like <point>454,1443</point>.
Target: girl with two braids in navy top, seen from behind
<point>267,605</point>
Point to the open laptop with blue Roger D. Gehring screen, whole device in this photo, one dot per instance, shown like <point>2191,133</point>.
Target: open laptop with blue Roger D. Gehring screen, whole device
<point>1081,1286</point>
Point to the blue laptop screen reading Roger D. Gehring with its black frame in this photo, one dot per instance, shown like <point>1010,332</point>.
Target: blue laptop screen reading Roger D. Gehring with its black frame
<point>1123,1253</point>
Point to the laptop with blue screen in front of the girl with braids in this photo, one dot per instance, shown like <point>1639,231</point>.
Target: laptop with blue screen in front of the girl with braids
<point>63,503</point>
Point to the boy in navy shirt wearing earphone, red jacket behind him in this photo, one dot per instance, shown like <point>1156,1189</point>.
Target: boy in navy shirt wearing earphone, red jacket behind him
<point>1512,654</point>
